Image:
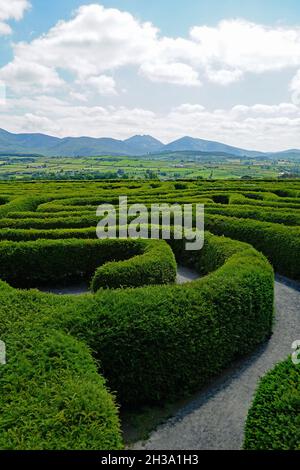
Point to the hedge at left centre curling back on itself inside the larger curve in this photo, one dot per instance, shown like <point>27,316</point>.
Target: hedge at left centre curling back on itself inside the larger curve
<point>31,264</point>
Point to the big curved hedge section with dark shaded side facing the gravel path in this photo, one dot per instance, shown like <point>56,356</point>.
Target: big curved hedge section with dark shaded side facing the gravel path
<point>160,343</point>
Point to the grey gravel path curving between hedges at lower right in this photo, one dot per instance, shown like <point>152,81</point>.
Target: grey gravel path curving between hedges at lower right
<point>215,418</point>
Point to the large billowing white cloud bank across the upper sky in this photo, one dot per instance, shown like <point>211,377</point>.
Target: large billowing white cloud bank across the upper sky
<point>97,41</point>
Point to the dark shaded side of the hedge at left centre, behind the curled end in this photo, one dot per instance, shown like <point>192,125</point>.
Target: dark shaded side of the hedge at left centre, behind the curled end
<point>29,264</point>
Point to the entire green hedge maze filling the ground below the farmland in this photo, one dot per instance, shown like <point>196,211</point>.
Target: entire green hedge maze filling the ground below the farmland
<point>137,338</point>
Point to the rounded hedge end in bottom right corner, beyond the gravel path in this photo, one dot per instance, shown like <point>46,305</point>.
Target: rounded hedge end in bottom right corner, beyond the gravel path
<point>273,421</point>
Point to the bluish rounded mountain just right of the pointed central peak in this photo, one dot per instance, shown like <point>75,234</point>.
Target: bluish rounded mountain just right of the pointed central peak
<point>189,143</point>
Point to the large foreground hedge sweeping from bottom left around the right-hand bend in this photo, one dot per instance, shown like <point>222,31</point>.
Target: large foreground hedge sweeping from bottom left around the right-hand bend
<point>154,343</point>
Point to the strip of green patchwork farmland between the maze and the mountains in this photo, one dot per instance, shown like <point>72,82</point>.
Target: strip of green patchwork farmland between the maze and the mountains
<point>166,166</point>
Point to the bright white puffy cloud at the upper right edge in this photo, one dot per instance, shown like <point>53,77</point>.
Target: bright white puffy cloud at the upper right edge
<point>248,47</point>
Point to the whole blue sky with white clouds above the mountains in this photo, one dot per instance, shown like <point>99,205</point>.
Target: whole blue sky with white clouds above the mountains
<point>221,70</point>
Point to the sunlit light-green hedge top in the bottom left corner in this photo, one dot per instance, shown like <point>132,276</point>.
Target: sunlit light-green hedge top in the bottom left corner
<point>52,396</point>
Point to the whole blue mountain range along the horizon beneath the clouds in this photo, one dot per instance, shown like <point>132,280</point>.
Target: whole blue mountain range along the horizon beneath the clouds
<point>138,145</point>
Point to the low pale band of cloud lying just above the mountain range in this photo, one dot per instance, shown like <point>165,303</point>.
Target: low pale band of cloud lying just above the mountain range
<point>258,127</point>
